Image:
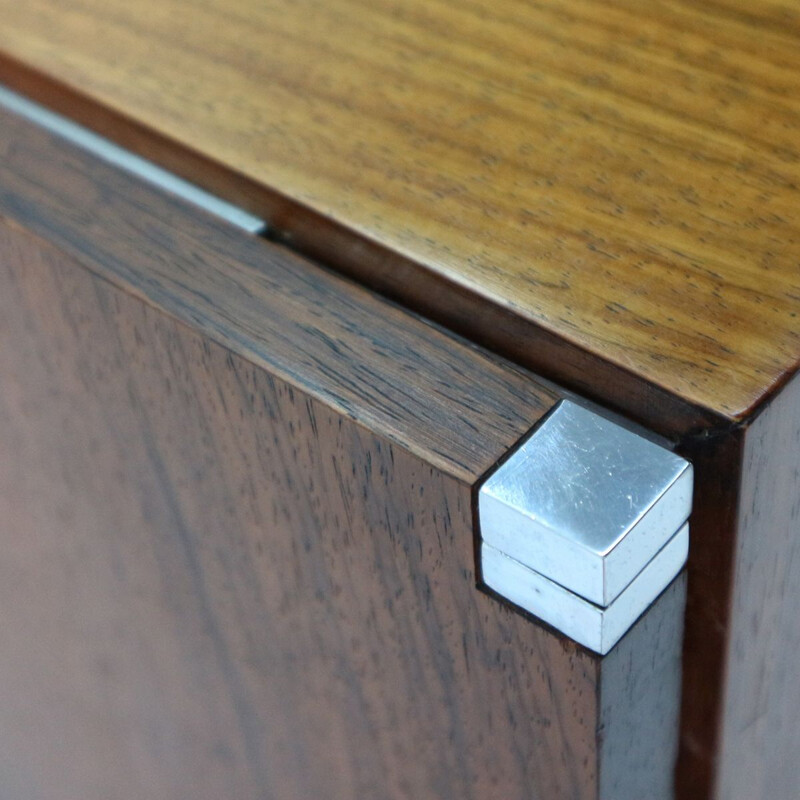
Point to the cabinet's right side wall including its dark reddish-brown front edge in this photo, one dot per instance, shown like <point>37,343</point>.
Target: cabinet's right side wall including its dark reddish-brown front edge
<point>740,727</point>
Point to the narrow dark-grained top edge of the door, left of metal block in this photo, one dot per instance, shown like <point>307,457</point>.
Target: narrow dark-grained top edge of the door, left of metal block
<point>445,400</point>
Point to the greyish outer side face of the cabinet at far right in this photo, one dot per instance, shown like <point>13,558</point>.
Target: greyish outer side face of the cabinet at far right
<point>761,722</point>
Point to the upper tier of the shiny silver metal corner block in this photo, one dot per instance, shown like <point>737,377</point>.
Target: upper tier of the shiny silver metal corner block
<point>585,502</point>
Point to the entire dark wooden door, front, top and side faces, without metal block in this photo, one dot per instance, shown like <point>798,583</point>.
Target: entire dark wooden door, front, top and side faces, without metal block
<point>236,523</point>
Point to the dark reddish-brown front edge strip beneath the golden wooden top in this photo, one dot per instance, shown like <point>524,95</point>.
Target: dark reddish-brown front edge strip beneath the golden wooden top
<point>463,310</point>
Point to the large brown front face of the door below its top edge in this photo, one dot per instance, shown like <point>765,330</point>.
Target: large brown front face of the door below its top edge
<point>218,586</point>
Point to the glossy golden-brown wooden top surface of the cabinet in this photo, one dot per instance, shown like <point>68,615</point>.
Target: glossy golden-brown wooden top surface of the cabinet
<point>626,181</point>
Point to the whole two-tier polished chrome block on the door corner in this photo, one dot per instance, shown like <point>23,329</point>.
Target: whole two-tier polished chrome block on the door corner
<point>585,524</point>
